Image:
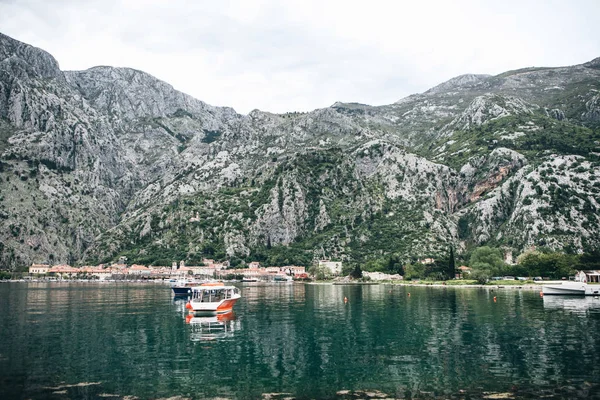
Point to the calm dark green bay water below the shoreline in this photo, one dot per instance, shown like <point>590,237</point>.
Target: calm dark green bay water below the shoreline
<point>82,340</point>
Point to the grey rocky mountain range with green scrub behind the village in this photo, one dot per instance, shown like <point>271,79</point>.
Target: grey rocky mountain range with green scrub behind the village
<point>112,161</point>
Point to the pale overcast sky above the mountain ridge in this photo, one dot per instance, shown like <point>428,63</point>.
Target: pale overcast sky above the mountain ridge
<point>300,55</point>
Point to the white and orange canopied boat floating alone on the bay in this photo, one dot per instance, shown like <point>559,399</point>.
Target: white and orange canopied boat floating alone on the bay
<point>213,297</point>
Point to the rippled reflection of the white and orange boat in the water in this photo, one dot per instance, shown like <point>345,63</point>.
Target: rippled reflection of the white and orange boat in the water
<point>212,327</point>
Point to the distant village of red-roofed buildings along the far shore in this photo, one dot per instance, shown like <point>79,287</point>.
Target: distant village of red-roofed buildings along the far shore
<point>209,269</point>
